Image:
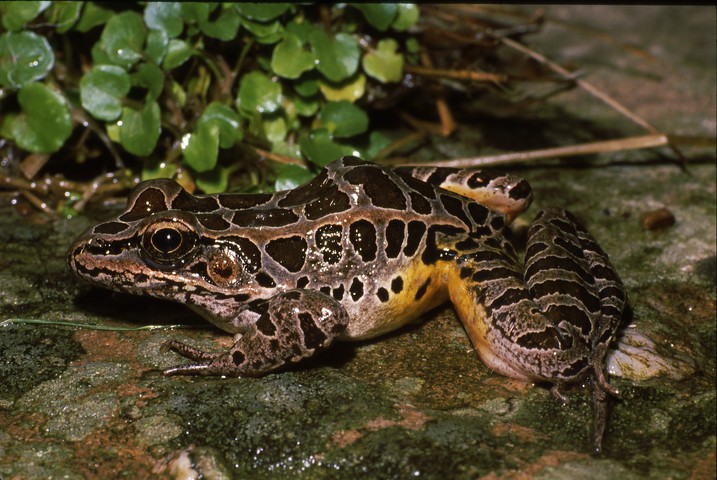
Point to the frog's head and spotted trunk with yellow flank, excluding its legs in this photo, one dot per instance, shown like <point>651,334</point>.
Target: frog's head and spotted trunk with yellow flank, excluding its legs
<point>368,236</point>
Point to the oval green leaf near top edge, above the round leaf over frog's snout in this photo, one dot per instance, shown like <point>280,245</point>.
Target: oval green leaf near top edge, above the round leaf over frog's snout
<point>122,39</point>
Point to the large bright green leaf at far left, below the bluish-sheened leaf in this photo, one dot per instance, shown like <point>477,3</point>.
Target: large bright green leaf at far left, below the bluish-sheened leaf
<point>45,122</point>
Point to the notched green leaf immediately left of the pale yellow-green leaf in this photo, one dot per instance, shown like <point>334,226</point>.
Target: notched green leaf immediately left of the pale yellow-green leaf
<point>337,58</point>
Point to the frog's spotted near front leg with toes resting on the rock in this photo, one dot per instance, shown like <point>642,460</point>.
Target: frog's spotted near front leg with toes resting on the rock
<point>283,329</point>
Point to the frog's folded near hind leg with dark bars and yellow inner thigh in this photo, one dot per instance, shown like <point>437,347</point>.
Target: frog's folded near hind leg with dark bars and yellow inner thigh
<point>551,320</point>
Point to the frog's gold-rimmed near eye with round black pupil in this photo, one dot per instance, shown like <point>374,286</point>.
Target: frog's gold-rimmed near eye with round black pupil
<point>169,244</point>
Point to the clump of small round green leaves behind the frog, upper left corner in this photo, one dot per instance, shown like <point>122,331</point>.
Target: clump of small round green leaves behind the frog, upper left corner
<point>193,90</point>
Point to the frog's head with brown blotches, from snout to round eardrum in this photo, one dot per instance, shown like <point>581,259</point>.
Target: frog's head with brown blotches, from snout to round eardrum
<point>167,244</point>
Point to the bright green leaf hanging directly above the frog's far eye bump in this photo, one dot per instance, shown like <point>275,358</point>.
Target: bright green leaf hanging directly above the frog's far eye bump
<point>139,129</point>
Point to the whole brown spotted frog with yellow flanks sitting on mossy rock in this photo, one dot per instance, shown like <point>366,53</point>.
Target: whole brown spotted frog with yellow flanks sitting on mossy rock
<point>360,251</point>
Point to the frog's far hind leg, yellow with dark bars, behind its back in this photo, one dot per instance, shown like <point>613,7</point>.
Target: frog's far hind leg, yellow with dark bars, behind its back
<point>507,194</point>
